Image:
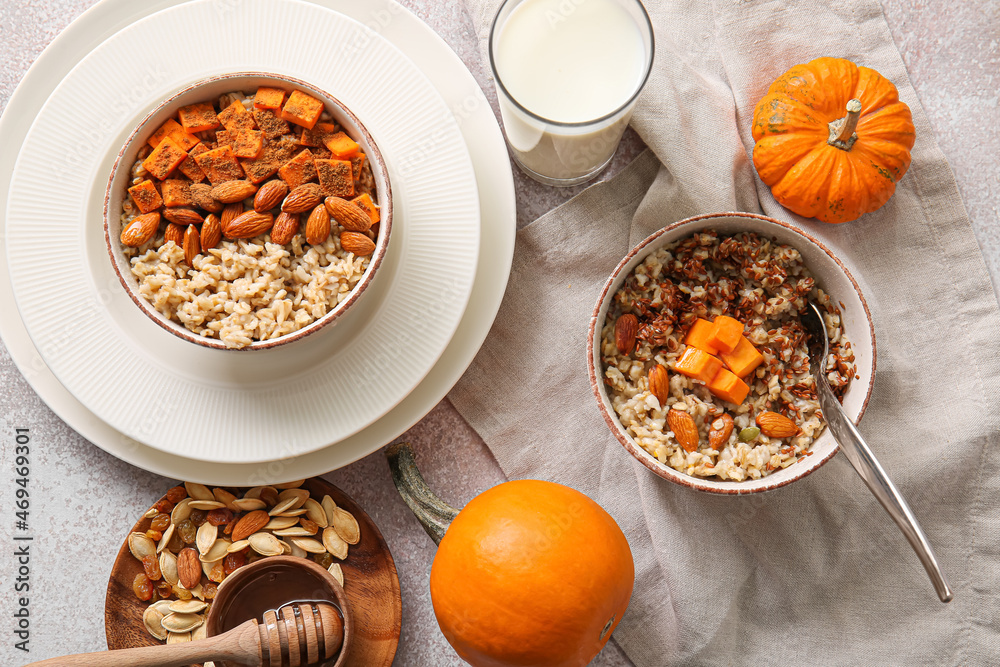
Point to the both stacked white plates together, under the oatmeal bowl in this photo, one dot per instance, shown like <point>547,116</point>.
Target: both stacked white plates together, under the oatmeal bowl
<point>229,417</point>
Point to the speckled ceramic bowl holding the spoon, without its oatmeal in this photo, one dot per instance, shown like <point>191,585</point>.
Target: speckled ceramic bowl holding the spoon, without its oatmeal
<point>830,274</point>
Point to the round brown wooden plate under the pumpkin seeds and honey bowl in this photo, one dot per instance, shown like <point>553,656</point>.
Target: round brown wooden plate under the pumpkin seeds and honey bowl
<point>370,581</point>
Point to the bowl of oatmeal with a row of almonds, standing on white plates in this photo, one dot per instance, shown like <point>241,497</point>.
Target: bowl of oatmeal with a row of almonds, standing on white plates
<point>206,231</point>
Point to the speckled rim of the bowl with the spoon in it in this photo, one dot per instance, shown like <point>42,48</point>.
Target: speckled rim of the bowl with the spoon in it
<point>644,457</point>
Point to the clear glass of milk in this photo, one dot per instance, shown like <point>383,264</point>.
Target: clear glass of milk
<point>568,73</point>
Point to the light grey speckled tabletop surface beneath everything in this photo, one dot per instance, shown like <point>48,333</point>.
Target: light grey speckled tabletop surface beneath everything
<point>84,500</point>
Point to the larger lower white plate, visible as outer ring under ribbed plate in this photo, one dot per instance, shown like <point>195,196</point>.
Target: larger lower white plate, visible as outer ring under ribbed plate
<point>496,196</point>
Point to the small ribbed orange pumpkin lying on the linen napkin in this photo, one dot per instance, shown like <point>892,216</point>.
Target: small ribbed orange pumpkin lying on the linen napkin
<point>821,163</point>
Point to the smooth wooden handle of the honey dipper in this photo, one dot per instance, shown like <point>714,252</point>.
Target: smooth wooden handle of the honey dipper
<point>241,644</point>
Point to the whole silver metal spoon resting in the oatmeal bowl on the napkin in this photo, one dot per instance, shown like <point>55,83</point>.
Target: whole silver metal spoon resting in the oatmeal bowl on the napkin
<point>861,457</point>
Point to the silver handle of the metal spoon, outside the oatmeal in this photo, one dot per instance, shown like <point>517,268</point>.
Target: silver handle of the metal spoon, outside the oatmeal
<point>871,471</point>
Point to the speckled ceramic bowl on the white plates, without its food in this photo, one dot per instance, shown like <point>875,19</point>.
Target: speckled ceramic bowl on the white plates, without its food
<point>210,89</point>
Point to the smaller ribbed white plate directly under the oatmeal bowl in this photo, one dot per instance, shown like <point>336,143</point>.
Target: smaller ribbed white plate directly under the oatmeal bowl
<point>217,405</point>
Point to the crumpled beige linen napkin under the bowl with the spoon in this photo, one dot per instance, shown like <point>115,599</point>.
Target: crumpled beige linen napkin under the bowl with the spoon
<point>814,573</point>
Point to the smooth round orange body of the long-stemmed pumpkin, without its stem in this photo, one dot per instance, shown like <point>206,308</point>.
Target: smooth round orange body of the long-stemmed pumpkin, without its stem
<point>531,573</point>
